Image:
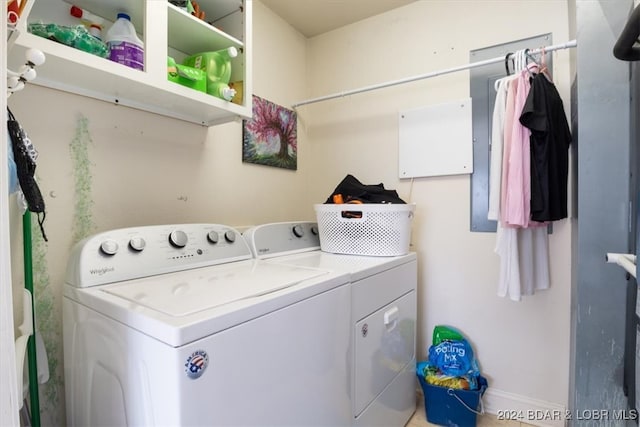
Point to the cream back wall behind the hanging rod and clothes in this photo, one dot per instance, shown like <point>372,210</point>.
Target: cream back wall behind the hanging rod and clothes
<point>523,347</point>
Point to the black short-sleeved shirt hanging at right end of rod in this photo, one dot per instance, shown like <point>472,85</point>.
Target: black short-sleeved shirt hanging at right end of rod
<point>543,114</point>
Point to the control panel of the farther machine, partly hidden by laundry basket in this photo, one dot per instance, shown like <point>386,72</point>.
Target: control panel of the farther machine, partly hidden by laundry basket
<point>279,238</point>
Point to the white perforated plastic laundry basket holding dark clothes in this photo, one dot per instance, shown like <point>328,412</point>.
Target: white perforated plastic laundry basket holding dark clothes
<point>365,229</point>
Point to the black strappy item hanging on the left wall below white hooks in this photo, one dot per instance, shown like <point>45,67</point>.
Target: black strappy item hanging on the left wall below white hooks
<point>24,155</point>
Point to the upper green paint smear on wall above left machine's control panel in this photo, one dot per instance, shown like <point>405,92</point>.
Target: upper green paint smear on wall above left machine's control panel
<point>83,224</point>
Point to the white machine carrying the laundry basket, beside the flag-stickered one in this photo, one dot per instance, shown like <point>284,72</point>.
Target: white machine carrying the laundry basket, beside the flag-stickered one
<point>382,359</point>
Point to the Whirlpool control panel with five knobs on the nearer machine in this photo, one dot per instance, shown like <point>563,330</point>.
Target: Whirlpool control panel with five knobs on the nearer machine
<point>130,253</point>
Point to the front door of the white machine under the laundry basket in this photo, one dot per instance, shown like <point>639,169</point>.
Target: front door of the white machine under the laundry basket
<point>385,343</point>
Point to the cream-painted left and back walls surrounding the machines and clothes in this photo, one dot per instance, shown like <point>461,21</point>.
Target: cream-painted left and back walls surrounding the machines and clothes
<point>148,169</point>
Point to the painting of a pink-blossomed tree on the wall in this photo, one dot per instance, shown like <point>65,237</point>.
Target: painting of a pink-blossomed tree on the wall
<point>270,138</point>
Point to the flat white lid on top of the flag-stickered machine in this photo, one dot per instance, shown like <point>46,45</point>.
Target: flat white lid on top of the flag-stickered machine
<point>192,291</point>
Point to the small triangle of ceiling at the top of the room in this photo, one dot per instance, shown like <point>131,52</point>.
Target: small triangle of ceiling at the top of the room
<point>313,17</point>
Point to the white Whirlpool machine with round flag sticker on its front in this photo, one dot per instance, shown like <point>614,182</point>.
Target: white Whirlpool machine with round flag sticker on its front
<point>179,325</point>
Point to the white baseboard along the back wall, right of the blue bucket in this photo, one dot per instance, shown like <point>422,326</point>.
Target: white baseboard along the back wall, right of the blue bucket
<point>505,405</point>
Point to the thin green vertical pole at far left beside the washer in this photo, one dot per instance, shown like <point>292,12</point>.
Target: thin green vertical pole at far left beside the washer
<point>31,344</point>
